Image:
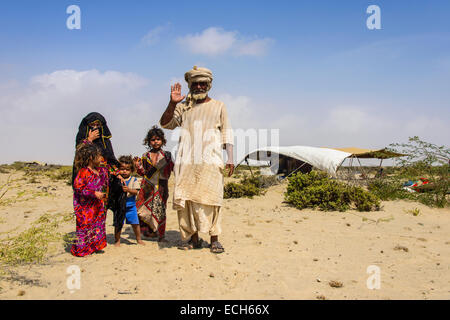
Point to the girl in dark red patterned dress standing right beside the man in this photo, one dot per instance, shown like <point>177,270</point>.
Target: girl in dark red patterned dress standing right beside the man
<point>155,167</point>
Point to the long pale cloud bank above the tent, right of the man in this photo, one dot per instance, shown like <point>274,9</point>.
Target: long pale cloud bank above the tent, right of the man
<point>336,126</point>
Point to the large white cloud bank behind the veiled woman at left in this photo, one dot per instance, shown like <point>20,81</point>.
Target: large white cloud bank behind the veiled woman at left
<point>40,118</point>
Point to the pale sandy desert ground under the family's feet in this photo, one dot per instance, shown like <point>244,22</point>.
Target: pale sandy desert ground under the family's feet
<point>273,251</point>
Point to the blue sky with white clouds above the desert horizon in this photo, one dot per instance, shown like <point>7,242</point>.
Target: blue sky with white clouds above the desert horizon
<point>311,69</point>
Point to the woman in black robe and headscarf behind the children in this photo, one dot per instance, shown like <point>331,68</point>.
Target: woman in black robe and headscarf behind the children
<point>94,129</point>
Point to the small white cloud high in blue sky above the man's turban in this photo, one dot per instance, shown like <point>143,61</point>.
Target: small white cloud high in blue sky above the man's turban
<point>216,41</point>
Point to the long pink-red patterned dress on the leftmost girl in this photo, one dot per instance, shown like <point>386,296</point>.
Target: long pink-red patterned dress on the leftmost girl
<point>90,211</point>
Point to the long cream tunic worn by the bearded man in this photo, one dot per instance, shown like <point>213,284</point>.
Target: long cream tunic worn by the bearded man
<point>205,129</point>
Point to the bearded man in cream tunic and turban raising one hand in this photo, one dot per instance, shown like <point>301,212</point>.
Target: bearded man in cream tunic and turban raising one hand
<point>205,131</point>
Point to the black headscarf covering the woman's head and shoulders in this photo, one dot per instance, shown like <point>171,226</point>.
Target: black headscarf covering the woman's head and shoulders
<point>103,141</point>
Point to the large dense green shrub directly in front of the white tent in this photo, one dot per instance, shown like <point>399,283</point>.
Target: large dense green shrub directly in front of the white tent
<point>316,190</point>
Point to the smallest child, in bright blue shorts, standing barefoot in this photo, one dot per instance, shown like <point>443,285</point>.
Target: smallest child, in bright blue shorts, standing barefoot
<point>131,186</point>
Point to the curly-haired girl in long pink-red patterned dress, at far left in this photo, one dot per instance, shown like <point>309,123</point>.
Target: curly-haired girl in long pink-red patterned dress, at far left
<point>88,196</point>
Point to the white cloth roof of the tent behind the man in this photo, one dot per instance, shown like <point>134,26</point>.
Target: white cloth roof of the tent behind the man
<point>321,158</point>
